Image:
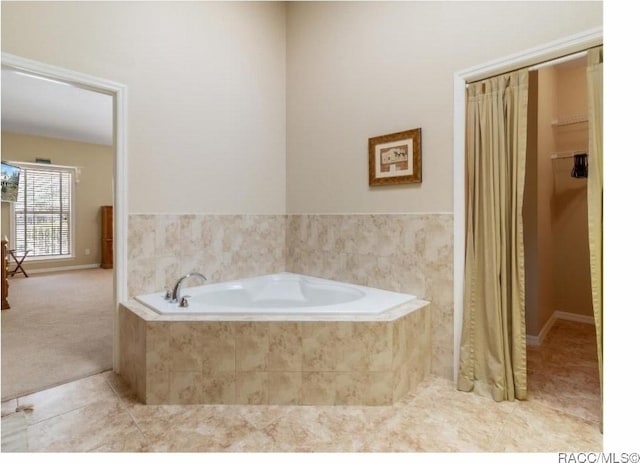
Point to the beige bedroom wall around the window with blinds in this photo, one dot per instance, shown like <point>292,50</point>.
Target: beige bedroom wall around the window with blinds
<point>93,190</point>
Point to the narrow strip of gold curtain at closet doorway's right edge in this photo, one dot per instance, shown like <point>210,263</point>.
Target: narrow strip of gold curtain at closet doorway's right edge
<point>594,189</point>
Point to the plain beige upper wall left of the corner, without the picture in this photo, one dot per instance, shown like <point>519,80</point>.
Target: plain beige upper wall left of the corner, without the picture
<point>206,101</point>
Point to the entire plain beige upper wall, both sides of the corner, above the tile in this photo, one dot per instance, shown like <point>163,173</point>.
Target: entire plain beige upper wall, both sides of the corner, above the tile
<point>209,83</point>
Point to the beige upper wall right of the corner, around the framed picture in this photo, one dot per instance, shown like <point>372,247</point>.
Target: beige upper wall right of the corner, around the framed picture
<point>357,70</point>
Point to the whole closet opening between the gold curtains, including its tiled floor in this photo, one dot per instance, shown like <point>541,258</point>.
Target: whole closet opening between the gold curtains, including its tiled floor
<point>562,357</point>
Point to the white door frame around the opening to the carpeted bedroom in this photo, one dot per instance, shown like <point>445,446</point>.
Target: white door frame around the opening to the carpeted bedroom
<point>119,93</point>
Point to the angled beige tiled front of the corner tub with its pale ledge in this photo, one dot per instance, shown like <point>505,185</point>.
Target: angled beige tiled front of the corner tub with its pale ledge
<point>284,360</point>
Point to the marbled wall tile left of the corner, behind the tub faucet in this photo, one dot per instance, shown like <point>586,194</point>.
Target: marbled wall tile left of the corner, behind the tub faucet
<point>223,247</point>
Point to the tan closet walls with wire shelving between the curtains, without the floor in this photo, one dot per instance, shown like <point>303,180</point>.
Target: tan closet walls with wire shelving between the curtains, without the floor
<point>557,265</point>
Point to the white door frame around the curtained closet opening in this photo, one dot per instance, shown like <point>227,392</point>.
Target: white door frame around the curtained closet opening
<point>526,58</point>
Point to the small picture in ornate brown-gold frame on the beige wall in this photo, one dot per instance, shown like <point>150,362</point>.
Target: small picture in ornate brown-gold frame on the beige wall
<point>396,158</point>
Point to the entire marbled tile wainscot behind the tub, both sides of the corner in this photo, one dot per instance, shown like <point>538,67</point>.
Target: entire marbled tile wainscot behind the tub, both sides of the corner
<point>410,253</point>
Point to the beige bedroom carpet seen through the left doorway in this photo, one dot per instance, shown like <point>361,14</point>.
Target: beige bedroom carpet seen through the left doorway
<point>59,328</point>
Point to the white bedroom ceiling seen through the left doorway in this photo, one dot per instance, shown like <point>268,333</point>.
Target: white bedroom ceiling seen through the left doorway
<point>43,107</point>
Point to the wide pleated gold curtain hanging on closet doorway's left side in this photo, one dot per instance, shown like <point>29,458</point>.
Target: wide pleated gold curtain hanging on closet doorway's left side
<point>493,344</point>
